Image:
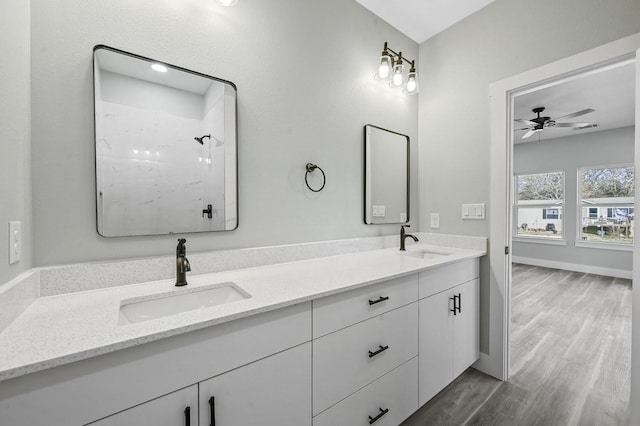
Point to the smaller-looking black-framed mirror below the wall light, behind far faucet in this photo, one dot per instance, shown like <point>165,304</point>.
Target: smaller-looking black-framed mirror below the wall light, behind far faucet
<point>386,176</point>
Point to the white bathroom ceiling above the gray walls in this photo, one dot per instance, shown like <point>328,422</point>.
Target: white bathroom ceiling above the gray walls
<point>422,19</point>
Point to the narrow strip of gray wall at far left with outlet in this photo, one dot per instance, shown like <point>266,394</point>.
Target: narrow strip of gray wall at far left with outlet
<point>15,160</point>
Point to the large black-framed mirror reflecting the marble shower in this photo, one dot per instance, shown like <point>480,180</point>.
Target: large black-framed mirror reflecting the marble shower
<point>166,147</point>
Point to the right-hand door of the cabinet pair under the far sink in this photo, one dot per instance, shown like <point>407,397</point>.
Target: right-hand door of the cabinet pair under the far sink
<point>466,327</point>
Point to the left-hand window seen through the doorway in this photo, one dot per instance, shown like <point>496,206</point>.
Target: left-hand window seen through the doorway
<point>540,202</point>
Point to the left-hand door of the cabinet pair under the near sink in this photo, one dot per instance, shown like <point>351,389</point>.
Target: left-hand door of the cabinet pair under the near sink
<point>179,408</point>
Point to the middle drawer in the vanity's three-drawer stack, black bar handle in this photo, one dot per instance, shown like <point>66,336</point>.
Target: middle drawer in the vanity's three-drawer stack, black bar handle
<point>346,360</point>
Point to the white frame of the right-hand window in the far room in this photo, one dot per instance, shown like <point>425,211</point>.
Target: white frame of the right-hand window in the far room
<point>629,204</point>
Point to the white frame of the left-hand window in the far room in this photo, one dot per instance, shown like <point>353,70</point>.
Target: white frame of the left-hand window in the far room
<point>544,205</point>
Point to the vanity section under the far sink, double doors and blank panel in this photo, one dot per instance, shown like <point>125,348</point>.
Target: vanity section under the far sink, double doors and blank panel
<point>449,328</point>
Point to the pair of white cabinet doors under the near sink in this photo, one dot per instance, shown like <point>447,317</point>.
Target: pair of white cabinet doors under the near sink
<point>271,391</point>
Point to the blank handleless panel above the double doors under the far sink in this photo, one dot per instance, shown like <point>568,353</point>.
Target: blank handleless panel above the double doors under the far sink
<point>439,279</point>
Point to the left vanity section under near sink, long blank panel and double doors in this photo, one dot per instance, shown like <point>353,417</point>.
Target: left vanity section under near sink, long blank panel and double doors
<point>125,382</point>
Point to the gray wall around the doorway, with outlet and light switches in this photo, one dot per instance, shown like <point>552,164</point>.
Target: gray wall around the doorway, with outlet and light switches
<point>456,69</point>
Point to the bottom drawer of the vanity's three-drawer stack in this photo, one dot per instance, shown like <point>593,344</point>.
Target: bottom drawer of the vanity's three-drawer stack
<point>396,391</point>
